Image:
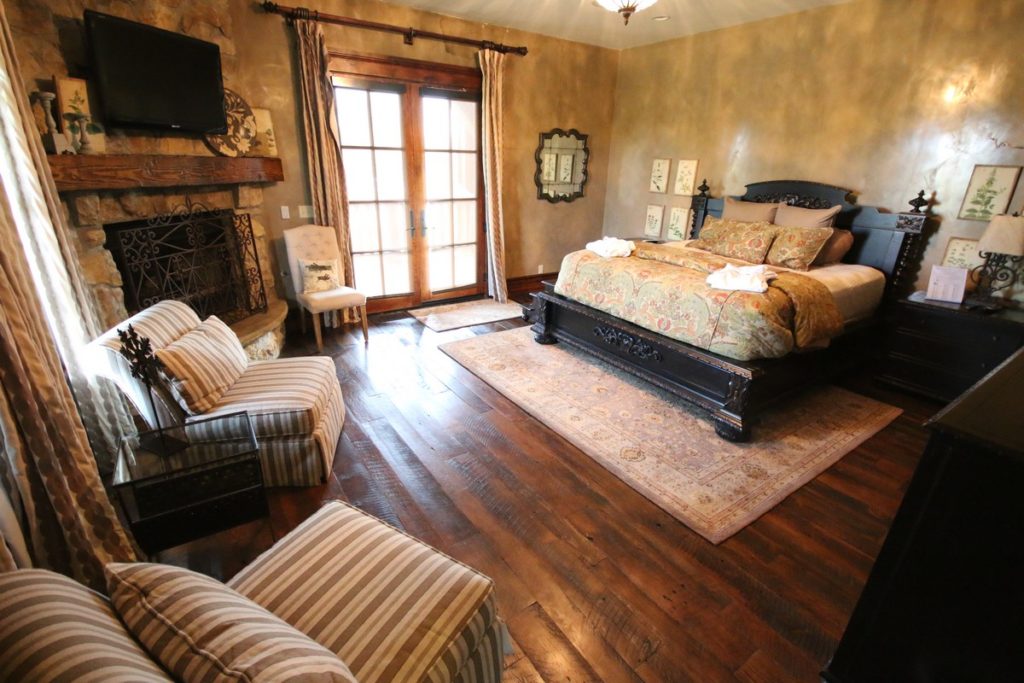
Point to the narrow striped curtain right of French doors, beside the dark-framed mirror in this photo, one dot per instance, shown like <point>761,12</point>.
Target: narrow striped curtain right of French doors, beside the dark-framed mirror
<point>493,67</point>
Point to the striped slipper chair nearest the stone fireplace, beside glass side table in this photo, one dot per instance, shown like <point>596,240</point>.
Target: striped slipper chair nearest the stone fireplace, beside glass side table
<point>295,405</point>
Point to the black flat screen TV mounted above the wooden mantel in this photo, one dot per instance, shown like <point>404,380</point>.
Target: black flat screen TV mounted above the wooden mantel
<point>148,77</point>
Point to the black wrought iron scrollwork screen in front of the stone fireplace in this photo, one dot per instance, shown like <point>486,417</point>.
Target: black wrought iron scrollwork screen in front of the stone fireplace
<point>205,259</point>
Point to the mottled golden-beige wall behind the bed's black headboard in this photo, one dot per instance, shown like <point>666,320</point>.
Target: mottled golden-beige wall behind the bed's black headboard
<point>851,96</point>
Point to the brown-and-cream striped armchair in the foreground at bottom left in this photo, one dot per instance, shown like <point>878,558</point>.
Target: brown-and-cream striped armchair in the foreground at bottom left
<point>345,597</point>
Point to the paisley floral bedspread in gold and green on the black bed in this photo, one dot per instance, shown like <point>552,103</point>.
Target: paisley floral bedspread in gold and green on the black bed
<point>663,289</point>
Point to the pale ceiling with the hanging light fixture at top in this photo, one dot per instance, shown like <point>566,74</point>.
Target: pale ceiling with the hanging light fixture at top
<point>585,22</point>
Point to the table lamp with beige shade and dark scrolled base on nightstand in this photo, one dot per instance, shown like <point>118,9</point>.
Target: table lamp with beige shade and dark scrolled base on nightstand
<point>1003,248</point>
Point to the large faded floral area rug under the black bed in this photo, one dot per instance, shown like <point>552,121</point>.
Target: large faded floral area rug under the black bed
<point>665,450</point>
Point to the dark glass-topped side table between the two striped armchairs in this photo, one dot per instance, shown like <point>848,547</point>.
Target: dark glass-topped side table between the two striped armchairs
<point>214,484</point>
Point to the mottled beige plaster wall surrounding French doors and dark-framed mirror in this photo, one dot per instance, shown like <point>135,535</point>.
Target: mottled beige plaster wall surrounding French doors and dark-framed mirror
<point>559,84</point>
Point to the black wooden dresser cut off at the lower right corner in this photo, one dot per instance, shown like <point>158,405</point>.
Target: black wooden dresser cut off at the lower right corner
<point>946,599</point>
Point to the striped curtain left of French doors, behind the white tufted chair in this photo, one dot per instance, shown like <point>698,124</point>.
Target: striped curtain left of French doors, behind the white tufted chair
<point>327,176</point>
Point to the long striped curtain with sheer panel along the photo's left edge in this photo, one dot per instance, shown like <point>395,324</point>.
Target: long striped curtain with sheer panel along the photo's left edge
<point>48,465</point>
